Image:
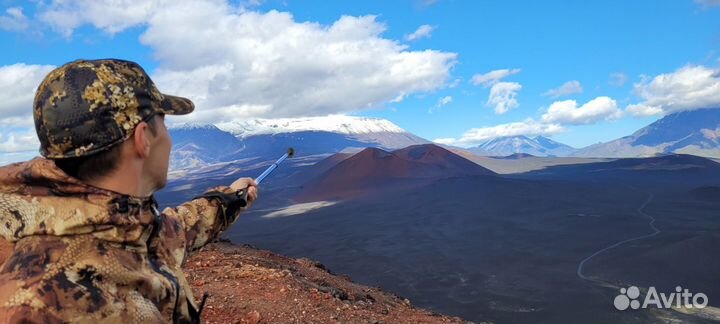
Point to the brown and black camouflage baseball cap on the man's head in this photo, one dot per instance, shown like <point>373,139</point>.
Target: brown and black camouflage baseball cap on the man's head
<point>88,106</point>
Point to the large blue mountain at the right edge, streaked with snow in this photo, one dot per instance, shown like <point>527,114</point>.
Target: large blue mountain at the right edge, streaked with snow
<point>694,132</point>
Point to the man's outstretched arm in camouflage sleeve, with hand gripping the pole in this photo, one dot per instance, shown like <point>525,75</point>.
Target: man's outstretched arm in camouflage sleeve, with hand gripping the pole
<point>205,217</point>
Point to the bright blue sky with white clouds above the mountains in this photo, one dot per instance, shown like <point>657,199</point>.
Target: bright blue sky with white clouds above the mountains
<point>614,49</point>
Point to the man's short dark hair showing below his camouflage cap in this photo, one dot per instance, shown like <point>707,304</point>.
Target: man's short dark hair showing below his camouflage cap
<point>98,165</point>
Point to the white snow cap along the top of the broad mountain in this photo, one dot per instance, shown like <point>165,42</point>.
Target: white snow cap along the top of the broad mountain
<point>334,123</point>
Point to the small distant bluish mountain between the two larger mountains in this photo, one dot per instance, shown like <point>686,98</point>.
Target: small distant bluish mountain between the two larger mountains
<point>537,146</point>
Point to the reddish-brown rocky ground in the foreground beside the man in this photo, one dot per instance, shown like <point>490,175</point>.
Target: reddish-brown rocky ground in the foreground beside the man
<point>247,285</point>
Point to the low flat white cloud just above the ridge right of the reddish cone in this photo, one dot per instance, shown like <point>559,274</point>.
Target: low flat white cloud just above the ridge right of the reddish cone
<point>528,127</point>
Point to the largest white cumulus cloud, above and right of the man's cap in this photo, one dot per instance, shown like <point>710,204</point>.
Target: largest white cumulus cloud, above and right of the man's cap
<point>237,64</point>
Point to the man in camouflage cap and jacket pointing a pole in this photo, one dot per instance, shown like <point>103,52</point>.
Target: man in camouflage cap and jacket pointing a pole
<point>89,245</point>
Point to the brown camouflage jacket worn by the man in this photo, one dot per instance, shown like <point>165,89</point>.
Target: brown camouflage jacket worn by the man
<point>87,255</point>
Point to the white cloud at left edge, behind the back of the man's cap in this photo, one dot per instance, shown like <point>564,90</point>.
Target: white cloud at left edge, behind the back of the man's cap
<point>18,83</point>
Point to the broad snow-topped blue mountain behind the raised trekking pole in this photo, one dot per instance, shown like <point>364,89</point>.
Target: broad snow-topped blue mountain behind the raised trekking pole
<point>265,139</point>
